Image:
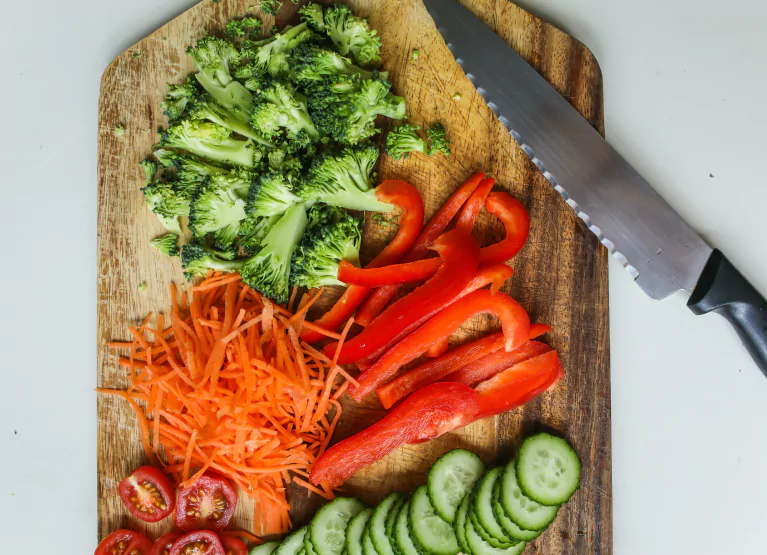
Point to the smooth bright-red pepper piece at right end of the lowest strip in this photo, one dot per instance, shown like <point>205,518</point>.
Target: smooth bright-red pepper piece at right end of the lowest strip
<point>517,385</point>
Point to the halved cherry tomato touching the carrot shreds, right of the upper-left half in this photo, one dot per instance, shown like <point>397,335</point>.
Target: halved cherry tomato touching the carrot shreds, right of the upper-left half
<point>207,504</point>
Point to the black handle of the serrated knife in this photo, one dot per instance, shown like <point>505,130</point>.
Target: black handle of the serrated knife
<point>722,288</point>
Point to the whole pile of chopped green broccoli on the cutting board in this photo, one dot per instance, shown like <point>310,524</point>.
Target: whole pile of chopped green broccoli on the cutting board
<point>268,145</point>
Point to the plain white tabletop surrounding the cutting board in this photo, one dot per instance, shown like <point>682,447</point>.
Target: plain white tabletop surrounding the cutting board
<point>684,100</point>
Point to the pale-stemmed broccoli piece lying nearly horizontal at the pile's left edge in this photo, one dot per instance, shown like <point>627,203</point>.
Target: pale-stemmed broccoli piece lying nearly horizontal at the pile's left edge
<point>211,141</point>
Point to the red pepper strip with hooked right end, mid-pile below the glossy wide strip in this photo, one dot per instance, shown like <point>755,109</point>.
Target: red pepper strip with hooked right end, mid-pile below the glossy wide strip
<point>515,324</point>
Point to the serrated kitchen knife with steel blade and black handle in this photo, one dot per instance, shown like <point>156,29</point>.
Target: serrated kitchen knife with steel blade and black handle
<point>653,243</point>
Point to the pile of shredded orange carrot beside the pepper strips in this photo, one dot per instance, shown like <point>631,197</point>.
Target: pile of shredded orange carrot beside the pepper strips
<point>229,386</point>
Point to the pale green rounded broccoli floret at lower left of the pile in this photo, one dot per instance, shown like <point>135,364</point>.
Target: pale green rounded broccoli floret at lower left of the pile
<point>216,208</point>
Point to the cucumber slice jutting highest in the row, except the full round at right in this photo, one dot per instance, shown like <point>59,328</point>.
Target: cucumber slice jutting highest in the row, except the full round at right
<point>451,479</point>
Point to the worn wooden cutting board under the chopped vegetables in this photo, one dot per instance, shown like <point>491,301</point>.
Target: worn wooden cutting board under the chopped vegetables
<point>560,275</point>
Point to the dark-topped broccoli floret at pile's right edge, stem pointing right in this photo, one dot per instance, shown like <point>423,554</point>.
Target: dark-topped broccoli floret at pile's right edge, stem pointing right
<point>346,106</point>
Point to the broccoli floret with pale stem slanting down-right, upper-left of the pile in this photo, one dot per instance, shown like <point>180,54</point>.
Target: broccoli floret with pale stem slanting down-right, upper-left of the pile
<point>214,57</point>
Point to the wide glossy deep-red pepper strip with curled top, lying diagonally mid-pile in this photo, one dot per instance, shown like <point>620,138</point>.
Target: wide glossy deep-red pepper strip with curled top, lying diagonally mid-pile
<point>459,253</point>
